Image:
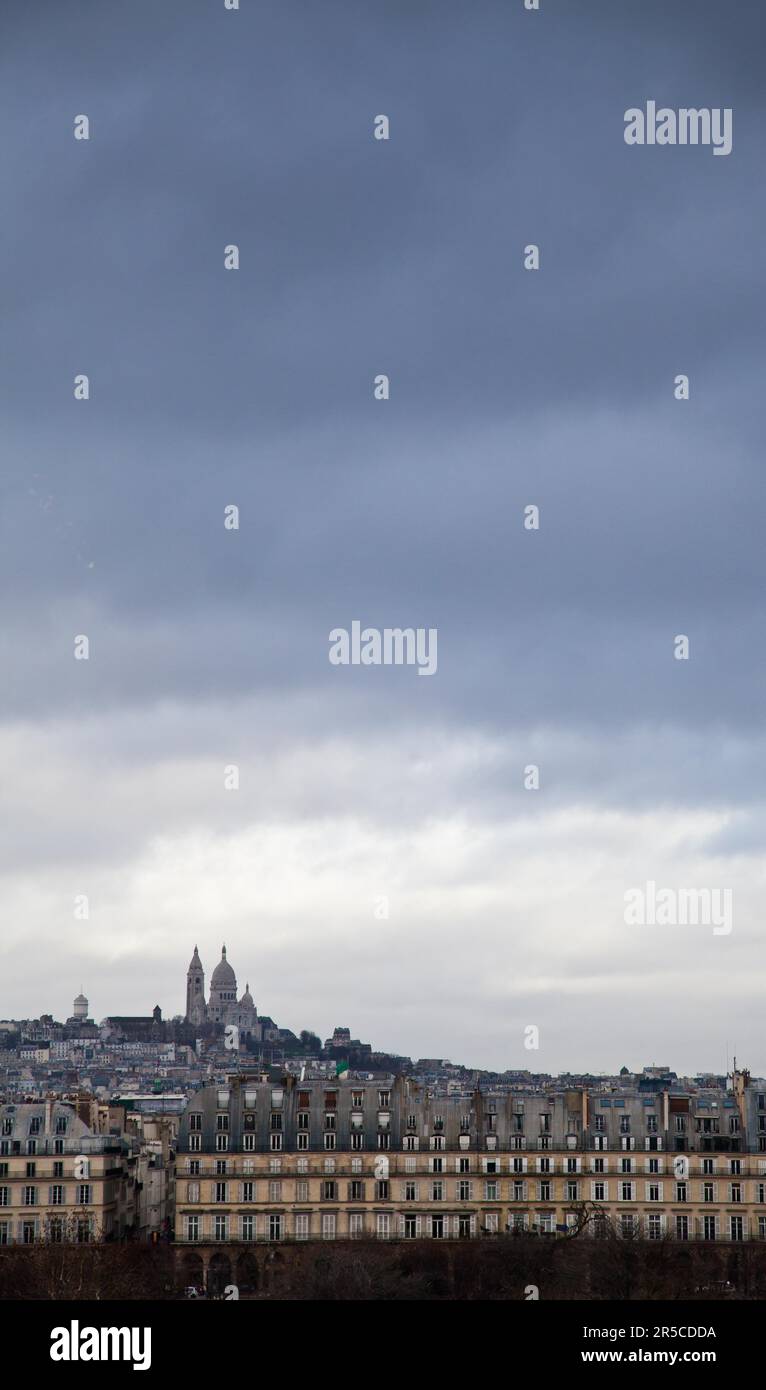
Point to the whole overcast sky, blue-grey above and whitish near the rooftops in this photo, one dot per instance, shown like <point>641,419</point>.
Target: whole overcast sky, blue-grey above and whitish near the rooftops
<point>508,387</point>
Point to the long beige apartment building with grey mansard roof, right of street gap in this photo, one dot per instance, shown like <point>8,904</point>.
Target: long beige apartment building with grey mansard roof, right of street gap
<point>262,1161</point>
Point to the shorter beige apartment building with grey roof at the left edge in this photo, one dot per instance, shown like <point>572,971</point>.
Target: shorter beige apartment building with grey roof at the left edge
<point>59,1181</point>
